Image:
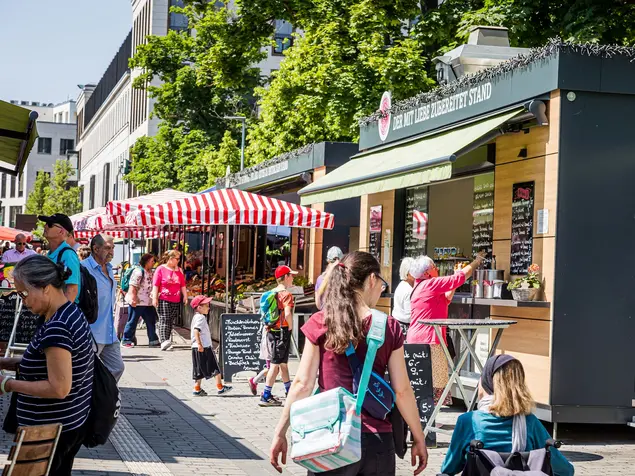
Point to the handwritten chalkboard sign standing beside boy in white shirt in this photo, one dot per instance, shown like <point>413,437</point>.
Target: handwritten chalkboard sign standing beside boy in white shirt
<point>240,343</point>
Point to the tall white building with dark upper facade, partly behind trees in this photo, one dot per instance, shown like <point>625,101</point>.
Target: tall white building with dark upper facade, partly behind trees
<point>112,115</point>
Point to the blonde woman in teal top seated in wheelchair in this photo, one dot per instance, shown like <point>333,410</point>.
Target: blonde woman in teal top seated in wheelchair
<point>503,422</point>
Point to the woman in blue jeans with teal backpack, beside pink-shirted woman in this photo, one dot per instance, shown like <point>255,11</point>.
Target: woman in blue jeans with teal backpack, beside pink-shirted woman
<point>139,300</point>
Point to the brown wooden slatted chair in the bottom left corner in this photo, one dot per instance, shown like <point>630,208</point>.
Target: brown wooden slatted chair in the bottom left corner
<point>33,450</point>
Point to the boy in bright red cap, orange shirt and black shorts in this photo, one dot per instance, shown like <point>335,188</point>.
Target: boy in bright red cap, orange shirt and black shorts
<point>279,337</point>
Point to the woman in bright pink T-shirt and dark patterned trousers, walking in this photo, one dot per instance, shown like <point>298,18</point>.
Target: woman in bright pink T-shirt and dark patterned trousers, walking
<point>167,290</point>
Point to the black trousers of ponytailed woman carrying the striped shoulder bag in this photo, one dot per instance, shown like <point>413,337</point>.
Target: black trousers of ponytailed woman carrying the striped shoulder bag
<point>378,458</point>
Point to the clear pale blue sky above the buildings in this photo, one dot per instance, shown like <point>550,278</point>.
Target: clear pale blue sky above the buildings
<point>48,47</point>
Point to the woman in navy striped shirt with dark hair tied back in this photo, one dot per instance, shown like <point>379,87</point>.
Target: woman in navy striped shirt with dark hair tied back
<point>56,371</point>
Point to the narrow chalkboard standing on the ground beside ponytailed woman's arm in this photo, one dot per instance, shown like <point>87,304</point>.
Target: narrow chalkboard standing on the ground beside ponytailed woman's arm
<point>419,366</point>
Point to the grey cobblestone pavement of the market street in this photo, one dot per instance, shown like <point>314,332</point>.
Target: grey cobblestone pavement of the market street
<point>167,431</point>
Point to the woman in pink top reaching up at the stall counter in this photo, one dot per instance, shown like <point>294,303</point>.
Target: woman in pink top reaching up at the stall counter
<point>430,299</point>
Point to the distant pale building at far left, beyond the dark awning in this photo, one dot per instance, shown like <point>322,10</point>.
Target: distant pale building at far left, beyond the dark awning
<point>57,130</point>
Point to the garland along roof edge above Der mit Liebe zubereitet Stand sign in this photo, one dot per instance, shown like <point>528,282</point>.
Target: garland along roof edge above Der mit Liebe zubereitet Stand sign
<point>553,46</point>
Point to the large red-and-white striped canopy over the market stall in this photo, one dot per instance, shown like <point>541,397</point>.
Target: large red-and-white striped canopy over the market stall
<point>230,207</point>
